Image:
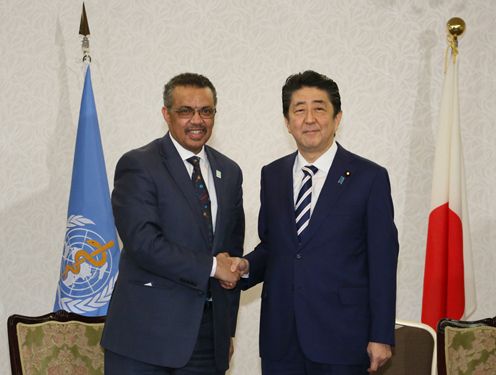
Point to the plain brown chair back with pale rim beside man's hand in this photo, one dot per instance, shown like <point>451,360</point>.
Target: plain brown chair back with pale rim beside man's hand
<point>414,352</point>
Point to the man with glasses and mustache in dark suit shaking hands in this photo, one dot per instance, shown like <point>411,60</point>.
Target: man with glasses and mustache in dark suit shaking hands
<point>178,210</point>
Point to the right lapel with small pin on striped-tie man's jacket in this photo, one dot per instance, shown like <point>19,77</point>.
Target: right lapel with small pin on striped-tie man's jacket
<point>334,185</point>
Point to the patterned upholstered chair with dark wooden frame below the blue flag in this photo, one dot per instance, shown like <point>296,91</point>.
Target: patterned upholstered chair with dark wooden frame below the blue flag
<point>55,343</point>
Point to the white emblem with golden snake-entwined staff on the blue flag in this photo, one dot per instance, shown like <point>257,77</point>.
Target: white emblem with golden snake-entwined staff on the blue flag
<point>88,270</point>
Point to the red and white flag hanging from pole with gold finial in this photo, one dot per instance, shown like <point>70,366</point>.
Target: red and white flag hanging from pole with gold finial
<point>449,289</point>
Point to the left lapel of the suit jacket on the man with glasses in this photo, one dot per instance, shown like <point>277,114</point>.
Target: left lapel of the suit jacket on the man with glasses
<point>179,174</point>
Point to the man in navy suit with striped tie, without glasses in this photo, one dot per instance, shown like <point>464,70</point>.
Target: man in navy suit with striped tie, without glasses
<point>329,247</point>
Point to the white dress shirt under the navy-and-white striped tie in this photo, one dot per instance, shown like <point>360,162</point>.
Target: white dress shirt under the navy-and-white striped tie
<point>323,163</point>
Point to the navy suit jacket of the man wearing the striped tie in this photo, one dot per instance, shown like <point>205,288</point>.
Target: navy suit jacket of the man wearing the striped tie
<point>339,283</point>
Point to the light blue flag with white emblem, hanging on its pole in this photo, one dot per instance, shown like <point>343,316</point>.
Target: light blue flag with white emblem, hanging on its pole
<point>91,252</point>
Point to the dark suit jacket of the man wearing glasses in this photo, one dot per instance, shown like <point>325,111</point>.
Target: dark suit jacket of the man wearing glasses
<point>159,297</point>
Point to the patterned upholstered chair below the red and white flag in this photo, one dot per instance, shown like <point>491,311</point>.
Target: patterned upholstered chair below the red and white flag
<point>466,347</point>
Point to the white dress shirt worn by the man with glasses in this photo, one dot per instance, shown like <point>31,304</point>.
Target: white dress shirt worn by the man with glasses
<point>208,177</point>
